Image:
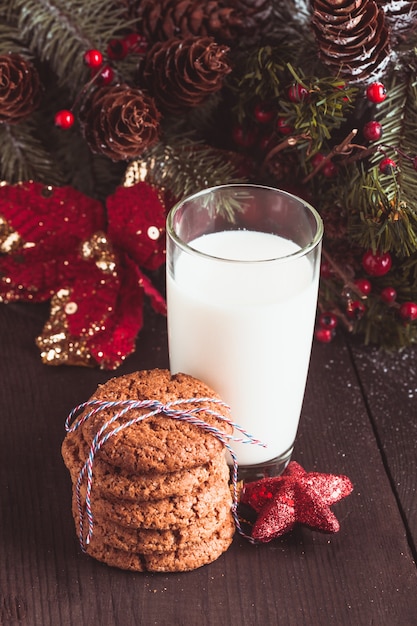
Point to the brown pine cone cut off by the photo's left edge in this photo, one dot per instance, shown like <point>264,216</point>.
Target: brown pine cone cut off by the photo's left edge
<point>20,88</point>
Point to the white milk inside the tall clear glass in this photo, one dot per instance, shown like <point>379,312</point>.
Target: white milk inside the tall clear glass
<point>246,330</point>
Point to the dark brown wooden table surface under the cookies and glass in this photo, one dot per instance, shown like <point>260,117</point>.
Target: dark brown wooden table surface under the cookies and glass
<point>359,419</point>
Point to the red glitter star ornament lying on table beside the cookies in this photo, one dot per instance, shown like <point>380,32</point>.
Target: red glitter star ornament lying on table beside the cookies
<point>294,497</point>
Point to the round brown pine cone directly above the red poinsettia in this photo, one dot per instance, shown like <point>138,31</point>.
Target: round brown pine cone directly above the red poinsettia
<point>119,122</point>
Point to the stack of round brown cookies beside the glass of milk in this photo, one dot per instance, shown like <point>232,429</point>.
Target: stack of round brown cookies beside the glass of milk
<point>160,497</point>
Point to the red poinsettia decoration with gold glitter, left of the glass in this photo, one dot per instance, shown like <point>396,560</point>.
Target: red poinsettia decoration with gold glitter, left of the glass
<point>58,244</point>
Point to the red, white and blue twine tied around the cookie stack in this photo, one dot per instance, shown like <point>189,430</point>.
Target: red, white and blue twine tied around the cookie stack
<point>156,408</point>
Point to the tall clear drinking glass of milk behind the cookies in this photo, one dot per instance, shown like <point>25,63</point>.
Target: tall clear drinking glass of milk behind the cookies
<point>243,267</point>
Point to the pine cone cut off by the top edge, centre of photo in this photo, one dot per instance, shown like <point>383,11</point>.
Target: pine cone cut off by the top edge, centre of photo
<point>164,19</point>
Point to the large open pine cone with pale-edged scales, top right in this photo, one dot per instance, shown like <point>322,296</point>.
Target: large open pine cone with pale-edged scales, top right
<point>352,37</point>
